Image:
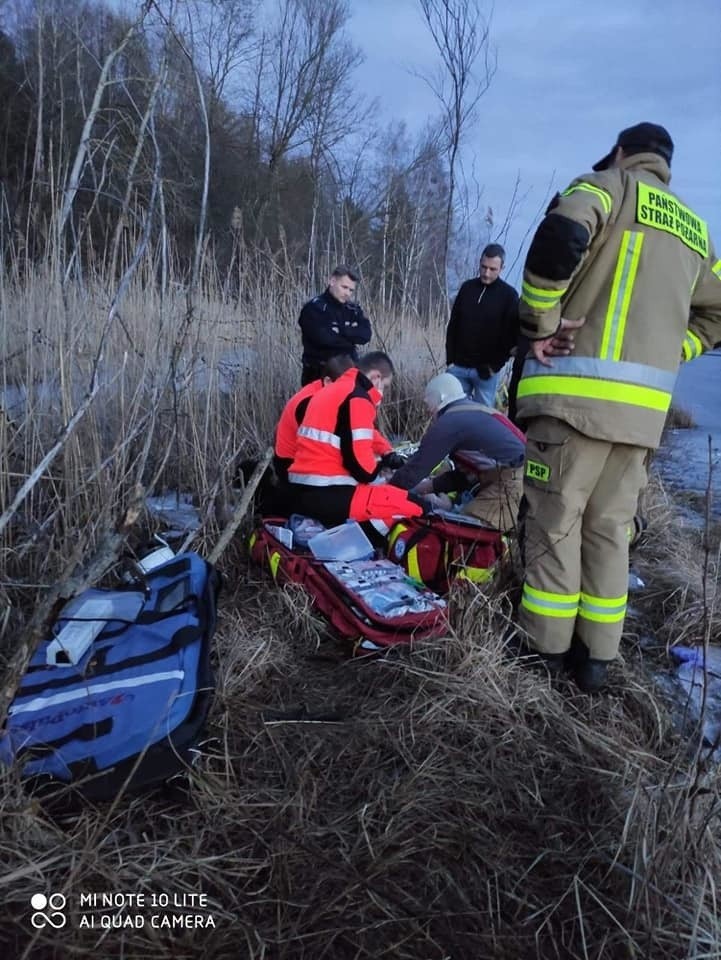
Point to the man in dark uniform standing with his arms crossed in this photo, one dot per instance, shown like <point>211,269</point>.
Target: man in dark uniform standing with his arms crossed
<point>332,325</point>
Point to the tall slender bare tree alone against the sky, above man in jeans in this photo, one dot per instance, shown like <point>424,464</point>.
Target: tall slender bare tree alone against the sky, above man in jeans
<point>461,34</point>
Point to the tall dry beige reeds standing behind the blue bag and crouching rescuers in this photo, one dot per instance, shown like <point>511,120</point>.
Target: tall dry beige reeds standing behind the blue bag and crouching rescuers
<point>182,395</point>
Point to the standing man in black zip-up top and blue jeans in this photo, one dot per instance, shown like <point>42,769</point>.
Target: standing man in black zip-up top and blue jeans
<point>483,328</point>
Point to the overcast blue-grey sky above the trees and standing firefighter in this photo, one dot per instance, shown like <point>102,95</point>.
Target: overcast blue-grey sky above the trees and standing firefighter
<point>569,77</point>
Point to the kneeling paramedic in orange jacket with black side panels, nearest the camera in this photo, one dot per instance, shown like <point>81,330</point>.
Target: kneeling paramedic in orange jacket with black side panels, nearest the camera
<point>331,477</point>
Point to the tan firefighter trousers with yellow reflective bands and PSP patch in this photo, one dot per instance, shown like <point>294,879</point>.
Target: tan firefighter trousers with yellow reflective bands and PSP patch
<point>582,495</point>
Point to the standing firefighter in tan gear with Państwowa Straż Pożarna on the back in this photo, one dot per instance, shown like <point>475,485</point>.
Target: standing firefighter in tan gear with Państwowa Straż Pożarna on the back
<point>623,260</point>
